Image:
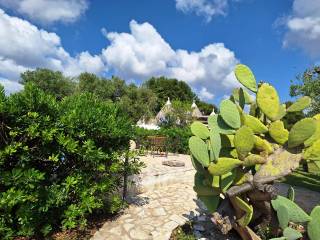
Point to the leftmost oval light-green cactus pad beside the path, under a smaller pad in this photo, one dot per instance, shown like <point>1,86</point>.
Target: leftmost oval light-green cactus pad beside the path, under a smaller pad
<point>199,150</point>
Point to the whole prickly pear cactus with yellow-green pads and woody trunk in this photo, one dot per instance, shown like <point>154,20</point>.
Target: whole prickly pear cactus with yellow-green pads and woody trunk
<point>239,154</point>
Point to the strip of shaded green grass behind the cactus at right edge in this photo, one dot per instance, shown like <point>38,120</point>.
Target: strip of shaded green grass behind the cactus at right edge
<point>303,179</point>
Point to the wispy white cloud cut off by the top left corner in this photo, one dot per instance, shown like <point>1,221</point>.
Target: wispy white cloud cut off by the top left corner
<point>48,11</point>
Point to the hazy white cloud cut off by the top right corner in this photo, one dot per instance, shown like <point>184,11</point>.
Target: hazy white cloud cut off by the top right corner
<point>303,27</point>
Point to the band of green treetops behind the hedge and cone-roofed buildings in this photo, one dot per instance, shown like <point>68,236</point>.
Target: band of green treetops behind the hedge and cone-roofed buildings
<point>138,101</point>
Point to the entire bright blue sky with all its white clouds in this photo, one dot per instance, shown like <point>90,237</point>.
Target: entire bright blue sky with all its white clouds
<point>198,41</point>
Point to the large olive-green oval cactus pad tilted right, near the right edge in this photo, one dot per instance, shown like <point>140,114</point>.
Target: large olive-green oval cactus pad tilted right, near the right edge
<point>301,131</point>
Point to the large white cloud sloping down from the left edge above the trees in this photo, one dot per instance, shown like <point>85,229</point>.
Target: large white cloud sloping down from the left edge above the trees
<point>24,46</point>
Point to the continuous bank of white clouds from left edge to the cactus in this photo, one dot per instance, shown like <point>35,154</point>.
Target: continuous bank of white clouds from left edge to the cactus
<point>137,55</point>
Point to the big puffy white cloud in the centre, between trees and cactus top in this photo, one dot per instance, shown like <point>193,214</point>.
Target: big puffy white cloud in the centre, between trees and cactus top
<point>143,53</point>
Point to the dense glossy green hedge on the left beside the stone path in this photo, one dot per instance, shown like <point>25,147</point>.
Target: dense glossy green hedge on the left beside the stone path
<point>59,161</point>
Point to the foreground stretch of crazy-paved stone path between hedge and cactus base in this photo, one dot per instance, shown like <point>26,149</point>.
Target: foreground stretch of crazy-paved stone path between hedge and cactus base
<point>154,215</point>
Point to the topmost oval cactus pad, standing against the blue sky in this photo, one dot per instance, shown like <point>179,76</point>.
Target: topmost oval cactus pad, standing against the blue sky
<point>246,77</point>
